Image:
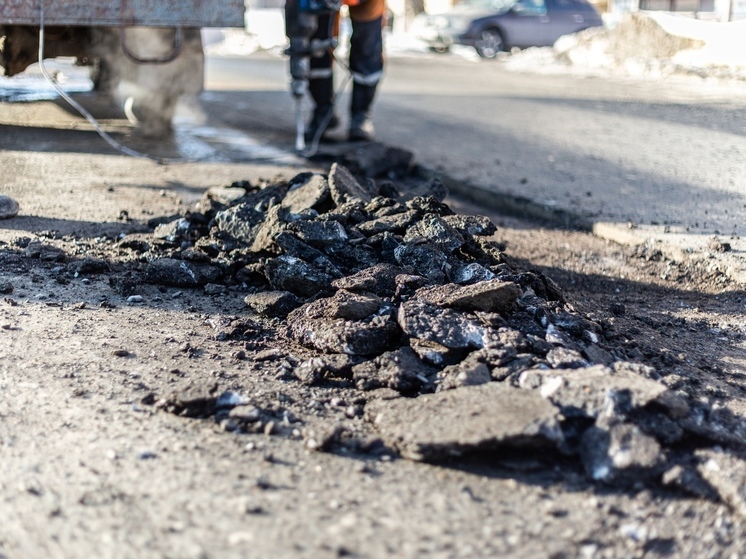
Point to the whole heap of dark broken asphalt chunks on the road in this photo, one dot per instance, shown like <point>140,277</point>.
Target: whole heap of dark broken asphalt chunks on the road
<point>442,347</point>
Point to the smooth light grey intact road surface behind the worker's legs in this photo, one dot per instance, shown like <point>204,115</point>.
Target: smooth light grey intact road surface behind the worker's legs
<point>619,150</point>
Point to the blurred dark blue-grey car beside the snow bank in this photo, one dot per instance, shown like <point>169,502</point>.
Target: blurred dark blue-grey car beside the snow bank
<point>491,26</point>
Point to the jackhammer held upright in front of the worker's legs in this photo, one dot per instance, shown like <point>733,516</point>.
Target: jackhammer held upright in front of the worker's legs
<point>301,22</point>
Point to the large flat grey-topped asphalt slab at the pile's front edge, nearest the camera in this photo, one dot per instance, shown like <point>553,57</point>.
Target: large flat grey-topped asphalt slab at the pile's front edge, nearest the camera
<point>435,427</point>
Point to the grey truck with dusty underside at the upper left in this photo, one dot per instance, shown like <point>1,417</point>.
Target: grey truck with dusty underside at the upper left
<point>144,53</point>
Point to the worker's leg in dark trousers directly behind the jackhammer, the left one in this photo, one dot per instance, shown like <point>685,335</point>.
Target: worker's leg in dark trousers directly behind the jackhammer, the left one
<point>321,86</point>
